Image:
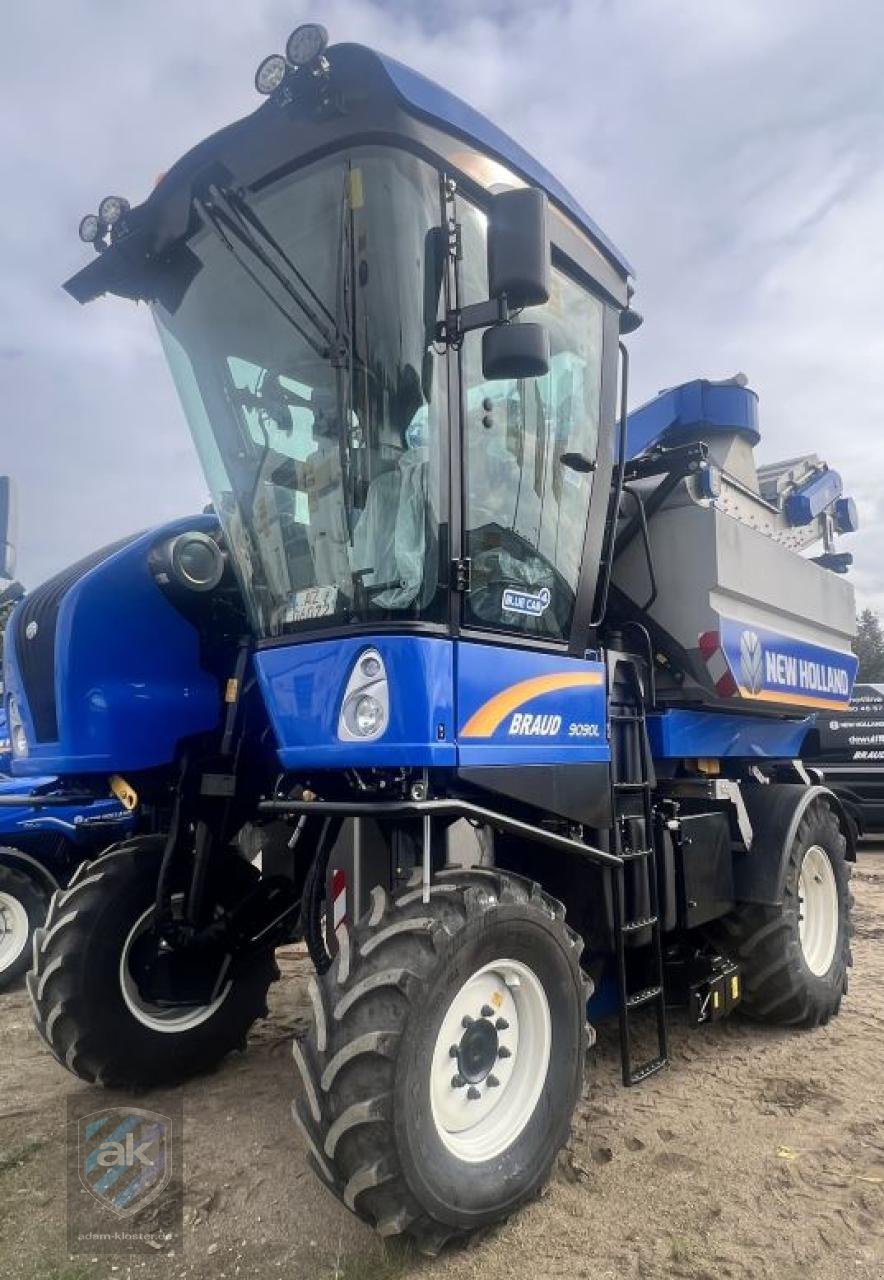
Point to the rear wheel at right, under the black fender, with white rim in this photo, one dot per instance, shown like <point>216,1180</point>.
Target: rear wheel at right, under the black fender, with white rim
<point>795,957</point>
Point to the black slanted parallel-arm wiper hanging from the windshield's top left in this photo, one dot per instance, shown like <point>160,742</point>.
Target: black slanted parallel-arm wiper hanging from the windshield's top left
<point>231,228</point>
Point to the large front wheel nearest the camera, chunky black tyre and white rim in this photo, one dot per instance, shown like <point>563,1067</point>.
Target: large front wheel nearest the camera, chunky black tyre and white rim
<point>447,1055</point>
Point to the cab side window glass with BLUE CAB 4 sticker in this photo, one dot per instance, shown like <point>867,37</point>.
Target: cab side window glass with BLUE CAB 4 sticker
<point>530,450</point>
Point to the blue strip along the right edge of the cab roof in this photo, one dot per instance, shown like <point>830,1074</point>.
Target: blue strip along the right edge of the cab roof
<point>439,106</point>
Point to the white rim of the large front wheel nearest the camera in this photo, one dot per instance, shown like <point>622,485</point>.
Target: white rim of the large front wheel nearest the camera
<point>478,1121</point>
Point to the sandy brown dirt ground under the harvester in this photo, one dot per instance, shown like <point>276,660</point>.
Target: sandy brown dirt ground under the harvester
<point>759,1154</point>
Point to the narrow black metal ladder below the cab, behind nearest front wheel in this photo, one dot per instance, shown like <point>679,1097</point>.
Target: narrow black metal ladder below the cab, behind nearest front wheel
<point>634,843</point>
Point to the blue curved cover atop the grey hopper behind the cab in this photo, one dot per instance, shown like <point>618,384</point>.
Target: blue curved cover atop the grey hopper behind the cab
<point>680,413</point>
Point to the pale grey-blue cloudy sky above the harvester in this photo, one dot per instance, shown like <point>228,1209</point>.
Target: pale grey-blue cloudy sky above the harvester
<point>734,150</point>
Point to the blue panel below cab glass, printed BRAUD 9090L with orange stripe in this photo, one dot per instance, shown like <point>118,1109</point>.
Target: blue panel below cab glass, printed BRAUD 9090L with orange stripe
<point>451,703</point>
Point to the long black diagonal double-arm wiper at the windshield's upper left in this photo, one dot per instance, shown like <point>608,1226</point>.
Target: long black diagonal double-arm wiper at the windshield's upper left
<point>239,228</point>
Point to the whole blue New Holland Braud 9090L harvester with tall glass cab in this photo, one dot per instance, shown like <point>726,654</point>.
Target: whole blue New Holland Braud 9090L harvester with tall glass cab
<point>492,693</point>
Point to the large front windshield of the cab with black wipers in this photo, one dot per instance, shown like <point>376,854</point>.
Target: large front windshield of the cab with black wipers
<point>303,353</point>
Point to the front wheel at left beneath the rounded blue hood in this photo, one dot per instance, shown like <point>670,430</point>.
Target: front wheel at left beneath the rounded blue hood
<point>85,991</point>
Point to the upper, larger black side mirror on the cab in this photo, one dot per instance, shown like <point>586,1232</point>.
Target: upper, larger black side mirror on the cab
<point>519,248</point>
